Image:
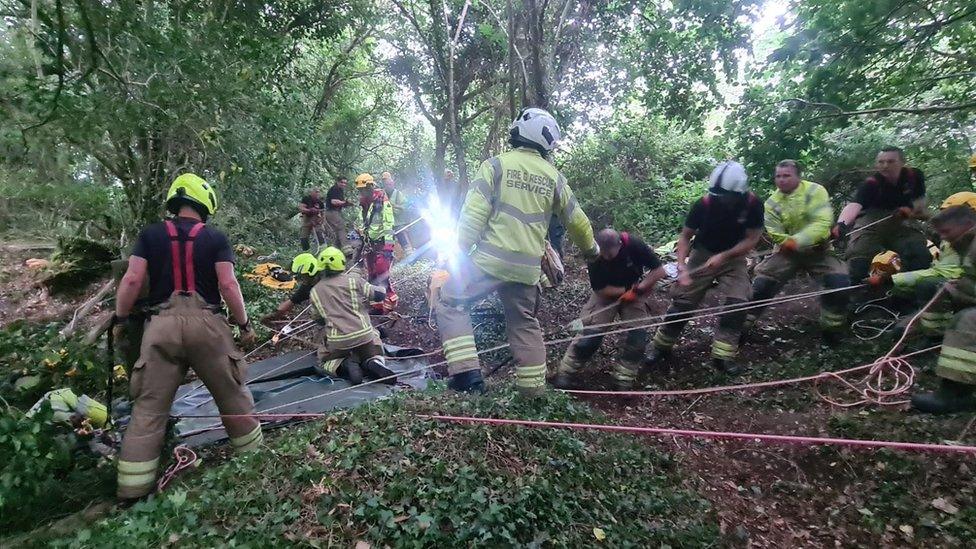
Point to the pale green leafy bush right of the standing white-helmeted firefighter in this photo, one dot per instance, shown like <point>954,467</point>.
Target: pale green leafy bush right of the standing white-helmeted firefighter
<point>642,175</point>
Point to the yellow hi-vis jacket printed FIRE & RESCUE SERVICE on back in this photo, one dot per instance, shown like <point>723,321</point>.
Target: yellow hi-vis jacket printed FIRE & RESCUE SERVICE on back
<point>506,214</point>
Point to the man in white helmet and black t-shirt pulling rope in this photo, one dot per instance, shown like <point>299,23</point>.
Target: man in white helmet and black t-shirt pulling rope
<point>726,225</point>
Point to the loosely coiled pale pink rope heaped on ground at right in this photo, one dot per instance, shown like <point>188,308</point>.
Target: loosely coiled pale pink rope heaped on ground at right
<point>889,377</point>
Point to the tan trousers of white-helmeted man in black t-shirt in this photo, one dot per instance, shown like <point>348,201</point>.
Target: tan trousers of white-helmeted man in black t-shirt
<point>731,281</point>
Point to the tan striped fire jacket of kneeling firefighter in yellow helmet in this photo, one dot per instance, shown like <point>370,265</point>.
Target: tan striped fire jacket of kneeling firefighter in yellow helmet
<point>341,301</point>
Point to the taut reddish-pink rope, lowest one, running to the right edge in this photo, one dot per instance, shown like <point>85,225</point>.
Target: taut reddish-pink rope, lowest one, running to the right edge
<point>787,439</point>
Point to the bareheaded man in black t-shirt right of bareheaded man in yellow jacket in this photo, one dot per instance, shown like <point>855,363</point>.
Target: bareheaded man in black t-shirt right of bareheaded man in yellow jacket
<point>893,196</point>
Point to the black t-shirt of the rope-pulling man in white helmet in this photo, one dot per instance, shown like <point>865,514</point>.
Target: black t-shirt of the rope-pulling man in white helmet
<point>720,226</point>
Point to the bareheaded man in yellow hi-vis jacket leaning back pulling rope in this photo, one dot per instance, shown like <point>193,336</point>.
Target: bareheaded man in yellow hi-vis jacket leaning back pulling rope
<point>798,219</point>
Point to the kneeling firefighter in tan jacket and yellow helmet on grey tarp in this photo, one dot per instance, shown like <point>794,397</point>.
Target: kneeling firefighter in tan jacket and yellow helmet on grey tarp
<point>340,300</point>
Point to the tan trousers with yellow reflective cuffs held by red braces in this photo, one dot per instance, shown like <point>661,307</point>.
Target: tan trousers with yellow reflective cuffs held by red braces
<point>183,335</point>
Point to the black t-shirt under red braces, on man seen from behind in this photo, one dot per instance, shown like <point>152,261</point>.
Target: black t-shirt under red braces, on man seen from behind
<point>209,247</point>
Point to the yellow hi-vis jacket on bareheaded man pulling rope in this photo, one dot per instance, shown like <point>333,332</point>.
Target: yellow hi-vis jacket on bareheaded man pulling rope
<point>804,215</point>
